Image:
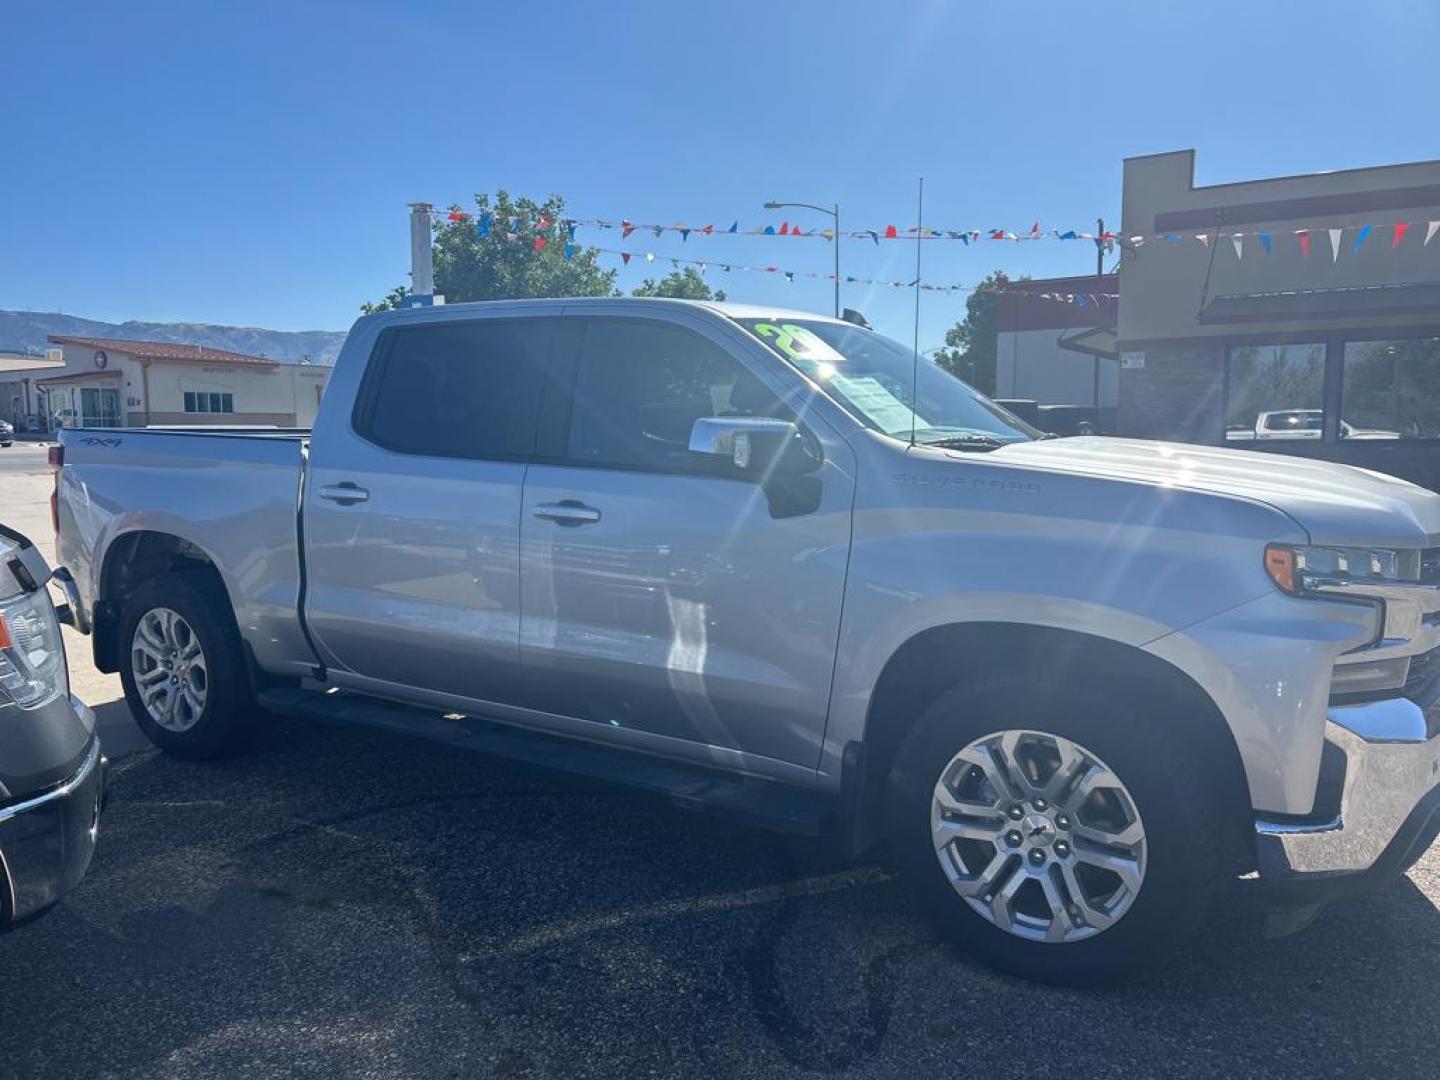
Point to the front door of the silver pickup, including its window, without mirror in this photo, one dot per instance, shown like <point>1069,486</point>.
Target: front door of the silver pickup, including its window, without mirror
<point>662,600</point>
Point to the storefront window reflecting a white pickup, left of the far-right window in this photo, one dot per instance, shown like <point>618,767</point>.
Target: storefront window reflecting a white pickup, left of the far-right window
<point>1275,392</point>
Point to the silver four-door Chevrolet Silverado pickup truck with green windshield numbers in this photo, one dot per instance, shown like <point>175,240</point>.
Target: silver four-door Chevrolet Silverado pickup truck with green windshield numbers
<point>1075,683</point>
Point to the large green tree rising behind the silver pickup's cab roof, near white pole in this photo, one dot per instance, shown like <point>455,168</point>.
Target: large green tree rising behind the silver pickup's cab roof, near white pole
<point>506,261</point>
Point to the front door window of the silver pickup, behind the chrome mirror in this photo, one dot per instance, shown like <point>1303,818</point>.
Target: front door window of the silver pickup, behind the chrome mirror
<point>643,385</point>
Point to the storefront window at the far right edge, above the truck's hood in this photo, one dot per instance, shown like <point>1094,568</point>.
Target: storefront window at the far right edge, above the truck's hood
<point>1392,390</point>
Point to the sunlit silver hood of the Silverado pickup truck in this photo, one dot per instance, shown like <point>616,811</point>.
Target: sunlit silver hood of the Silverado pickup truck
<point>1334,505</point>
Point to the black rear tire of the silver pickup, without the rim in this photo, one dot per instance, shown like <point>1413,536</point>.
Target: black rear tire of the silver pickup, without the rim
<point>230,714</point>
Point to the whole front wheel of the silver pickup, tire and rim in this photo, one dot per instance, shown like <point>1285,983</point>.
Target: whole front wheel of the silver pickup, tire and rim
<point>1062,836</point>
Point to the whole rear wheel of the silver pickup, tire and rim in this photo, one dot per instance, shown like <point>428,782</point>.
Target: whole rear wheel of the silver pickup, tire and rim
<point>184,667</point>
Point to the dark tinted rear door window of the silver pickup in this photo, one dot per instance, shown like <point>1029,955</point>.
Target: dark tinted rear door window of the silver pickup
<point>456,390</point>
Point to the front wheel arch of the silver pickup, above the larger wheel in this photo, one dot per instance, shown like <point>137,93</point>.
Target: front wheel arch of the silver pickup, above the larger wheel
<point>935,660</point>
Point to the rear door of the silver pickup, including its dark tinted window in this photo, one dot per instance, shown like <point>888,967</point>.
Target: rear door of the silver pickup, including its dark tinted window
<point>413,510</point>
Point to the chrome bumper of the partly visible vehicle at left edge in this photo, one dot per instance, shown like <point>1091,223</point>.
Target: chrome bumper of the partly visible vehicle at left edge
<point>47,842</point>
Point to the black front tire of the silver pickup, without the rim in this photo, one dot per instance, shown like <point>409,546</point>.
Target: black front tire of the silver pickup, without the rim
<point>1173,791</point>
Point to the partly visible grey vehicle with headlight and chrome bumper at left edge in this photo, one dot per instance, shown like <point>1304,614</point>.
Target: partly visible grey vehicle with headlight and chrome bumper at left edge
<point>53,771</point>
